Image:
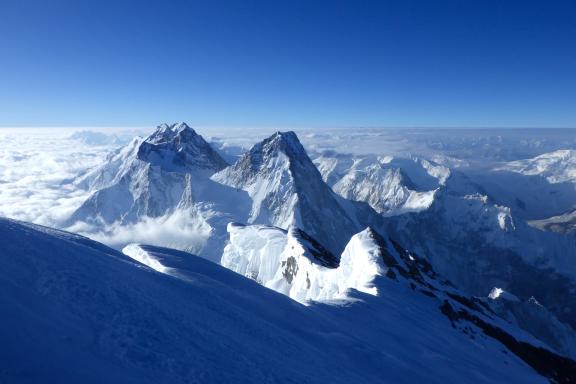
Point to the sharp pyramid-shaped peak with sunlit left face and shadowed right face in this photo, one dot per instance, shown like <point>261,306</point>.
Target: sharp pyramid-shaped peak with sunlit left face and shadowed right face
<point>287,190</point>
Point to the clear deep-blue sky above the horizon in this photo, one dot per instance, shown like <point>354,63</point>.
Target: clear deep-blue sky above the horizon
<point>495,63</point>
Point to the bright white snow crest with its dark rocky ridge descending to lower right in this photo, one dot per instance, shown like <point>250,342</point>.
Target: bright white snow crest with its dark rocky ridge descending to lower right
<point>373,269</point>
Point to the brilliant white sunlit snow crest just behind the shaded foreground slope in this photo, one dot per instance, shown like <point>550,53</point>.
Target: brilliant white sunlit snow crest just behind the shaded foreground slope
<point>292,263</point>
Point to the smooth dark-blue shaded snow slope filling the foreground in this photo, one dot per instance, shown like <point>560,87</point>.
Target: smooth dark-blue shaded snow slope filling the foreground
<point>74,311</point>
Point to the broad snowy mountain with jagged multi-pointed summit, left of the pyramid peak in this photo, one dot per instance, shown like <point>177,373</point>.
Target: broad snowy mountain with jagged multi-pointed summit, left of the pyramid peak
<point>149,177</point>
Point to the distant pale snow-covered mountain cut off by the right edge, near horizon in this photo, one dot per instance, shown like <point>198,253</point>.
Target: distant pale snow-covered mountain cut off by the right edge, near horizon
<point>557,167</point>
